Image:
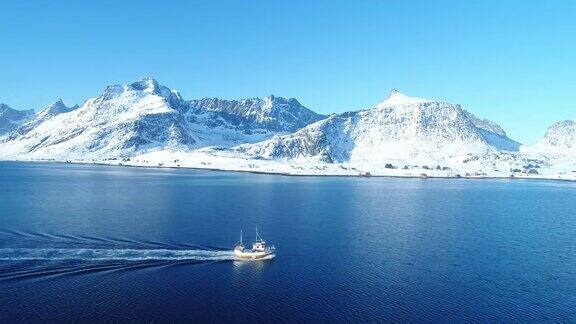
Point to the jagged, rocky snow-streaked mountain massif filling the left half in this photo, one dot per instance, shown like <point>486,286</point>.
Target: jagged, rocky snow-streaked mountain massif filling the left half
<point>146,116</point>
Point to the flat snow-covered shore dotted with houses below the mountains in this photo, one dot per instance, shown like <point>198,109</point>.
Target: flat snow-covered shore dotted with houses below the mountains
<point>448,168</point>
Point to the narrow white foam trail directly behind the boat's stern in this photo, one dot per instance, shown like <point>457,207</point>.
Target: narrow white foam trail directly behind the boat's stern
<point>114,254</point>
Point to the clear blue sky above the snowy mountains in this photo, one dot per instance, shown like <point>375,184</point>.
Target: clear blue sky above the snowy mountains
<point>511,61</point>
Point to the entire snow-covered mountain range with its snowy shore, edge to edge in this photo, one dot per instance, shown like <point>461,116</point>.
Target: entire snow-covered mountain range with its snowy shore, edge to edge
<point>148,120</point>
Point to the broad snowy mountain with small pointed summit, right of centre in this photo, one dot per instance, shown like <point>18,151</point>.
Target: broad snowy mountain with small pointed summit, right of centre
<point>398,128</point>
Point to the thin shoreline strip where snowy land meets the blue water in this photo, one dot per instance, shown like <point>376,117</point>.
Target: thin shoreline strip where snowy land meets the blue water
<point>286,174</point>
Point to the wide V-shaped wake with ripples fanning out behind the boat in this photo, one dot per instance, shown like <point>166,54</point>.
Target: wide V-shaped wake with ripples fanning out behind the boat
<point>40,255</point>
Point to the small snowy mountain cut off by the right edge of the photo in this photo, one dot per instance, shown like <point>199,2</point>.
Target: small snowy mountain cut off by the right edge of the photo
<point>559,140</point>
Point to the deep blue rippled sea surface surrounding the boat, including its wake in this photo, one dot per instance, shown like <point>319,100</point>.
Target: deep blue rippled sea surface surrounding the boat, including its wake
<point>100,243</point>
